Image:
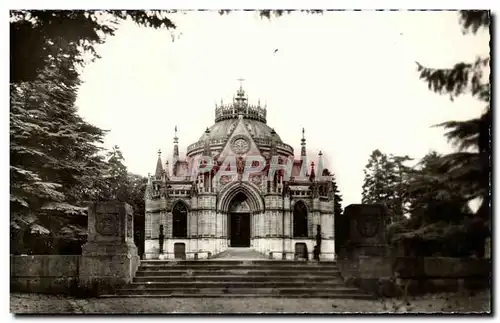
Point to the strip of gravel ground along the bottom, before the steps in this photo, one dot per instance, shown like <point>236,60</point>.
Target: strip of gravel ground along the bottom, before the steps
<point>38,303</point>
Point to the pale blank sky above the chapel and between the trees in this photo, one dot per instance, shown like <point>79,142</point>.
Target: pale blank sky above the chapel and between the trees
<point>348,78</point>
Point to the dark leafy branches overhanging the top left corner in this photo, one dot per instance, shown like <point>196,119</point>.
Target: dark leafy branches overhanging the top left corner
<point>39,38</point>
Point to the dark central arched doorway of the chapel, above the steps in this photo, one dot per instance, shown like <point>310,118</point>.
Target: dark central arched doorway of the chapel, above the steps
<point>239,221</point>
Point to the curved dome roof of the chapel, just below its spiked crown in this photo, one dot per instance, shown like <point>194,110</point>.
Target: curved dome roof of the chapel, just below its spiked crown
<point>223,128</point>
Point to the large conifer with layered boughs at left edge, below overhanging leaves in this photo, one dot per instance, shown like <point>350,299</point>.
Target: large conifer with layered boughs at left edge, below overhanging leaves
<point>55,159</point>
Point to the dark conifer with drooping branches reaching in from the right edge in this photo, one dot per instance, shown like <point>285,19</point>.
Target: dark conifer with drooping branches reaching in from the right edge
<point>470,167</point>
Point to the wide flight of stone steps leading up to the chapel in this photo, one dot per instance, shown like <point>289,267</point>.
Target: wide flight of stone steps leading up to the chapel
<point>238,278</point>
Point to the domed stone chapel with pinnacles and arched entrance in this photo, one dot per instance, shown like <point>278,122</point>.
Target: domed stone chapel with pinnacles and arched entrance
<point>235,198</point>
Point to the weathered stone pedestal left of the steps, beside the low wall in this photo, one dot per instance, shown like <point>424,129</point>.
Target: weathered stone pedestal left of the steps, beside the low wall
<point>109,258</point>
